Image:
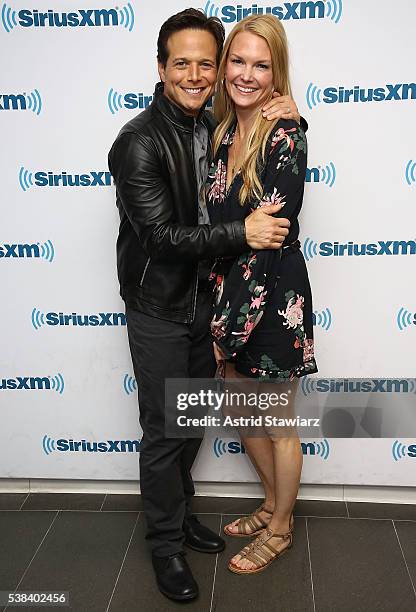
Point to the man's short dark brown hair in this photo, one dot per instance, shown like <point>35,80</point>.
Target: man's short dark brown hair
<point>194,20</point>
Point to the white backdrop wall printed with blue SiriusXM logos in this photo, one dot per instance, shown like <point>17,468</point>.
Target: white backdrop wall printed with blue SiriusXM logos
<point>66,91</point>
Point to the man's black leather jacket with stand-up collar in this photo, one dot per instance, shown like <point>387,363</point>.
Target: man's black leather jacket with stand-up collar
<point>160,242</point>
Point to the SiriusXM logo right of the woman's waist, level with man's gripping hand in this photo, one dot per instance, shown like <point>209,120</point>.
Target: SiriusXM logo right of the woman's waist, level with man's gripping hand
<point>349,249</point>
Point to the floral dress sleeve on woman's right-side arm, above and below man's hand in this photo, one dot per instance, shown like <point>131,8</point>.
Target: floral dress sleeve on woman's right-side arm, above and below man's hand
<point>242,293</point>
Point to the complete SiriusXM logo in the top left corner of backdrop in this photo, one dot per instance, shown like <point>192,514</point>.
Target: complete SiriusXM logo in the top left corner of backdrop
<point>81,18</point>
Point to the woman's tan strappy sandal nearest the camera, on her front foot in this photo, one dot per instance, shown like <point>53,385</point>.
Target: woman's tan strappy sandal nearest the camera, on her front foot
<point>262,553</point>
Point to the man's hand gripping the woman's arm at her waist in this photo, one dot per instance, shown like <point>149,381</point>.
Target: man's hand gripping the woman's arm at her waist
<point>264,231</point>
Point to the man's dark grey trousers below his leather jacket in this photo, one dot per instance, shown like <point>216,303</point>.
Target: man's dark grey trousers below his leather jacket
<point>162,349</point>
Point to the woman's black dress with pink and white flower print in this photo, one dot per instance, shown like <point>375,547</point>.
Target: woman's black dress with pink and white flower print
<point>263,304</point>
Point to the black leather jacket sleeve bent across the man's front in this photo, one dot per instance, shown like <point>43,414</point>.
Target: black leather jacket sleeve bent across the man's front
<point>146,198</point>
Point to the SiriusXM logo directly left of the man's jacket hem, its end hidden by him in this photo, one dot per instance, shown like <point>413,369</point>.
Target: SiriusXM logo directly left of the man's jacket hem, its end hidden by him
<point>101,319</point>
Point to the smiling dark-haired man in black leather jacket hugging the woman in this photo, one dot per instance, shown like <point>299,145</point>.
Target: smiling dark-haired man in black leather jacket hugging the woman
<point>165,247</point>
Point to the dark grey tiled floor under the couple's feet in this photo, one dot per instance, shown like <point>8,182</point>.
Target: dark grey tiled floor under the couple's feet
<point>345,557</point>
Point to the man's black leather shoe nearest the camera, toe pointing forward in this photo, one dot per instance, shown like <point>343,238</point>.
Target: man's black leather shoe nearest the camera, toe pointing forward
<point>174,577</point>
